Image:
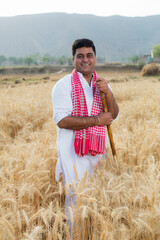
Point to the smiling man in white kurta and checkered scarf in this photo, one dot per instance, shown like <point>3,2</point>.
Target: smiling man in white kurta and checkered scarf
<point>79,114</point>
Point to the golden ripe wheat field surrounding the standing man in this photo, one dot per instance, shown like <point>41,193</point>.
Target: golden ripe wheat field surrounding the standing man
<point>120,202</point>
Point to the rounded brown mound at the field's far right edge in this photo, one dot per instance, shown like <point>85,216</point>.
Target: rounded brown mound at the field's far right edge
<point>151,69</point>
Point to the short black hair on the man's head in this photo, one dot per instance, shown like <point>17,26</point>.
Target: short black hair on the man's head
<point>83,42</point>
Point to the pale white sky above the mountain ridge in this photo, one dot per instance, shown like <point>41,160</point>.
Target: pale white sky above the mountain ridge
<point>131,8</point>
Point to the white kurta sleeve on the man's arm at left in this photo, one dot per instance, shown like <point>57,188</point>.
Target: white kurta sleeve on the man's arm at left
<point>61,99</point>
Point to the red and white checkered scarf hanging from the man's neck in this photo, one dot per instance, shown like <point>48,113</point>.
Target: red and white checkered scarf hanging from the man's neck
<point>90,140</point>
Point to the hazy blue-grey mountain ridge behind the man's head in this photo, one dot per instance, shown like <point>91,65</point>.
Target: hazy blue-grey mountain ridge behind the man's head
<point>115,37</point>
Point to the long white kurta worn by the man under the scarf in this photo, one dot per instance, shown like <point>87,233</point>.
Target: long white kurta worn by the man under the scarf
<point>62,105</point>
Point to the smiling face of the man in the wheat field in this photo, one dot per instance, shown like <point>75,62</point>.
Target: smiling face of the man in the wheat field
<point>84,60</point>
